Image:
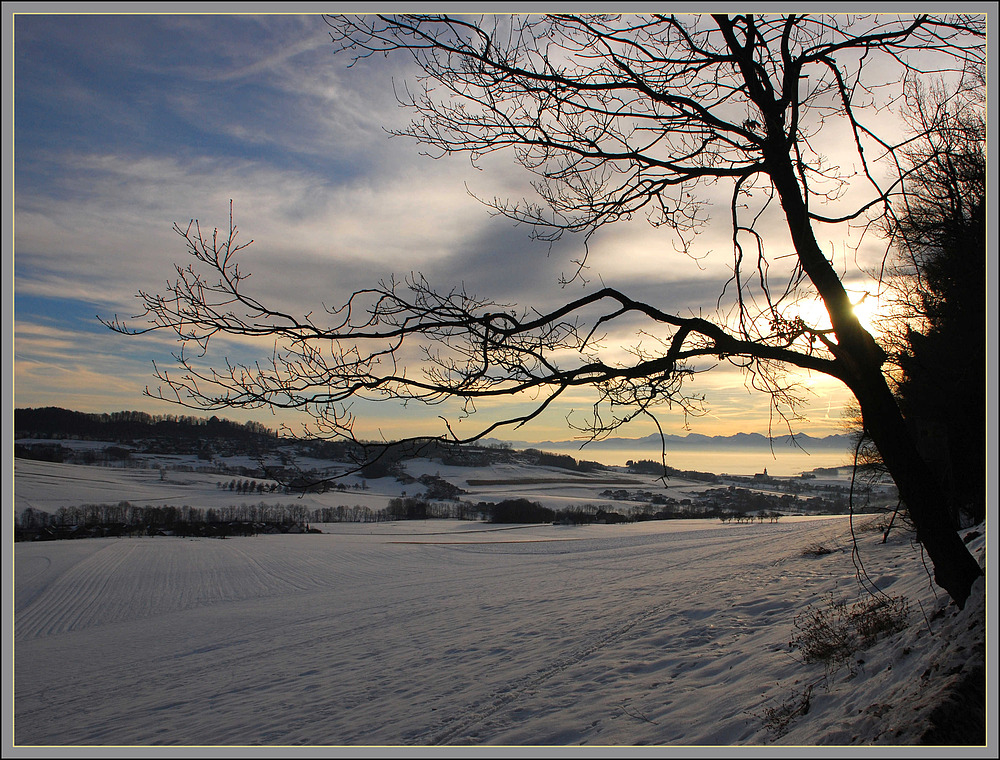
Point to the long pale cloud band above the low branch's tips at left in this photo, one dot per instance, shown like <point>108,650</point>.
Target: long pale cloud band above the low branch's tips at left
<point>110,228</point>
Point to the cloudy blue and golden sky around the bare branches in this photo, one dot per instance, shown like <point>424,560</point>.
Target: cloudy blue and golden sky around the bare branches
<point>125,124</point>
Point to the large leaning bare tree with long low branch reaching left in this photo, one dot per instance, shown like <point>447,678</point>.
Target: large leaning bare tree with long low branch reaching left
<point>616,117</point>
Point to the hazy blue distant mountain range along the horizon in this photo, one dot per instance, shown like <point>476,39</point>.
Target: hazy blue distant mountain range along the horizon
<point>699,441</point>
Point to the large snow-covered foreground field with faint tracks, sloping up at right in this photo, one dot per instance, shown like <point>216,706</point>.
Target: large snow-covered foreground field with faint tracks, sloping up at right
<point>461,633</point>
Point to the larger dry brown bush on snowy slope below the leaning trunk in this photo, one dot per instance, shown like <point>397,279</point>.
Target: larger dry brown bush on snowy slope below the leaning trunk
<point>832,634</point>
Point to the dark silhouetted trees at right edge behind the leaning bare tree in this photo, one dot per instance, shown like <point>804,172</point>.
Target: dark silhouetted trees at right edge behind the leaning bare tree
<point>940,233</point>
